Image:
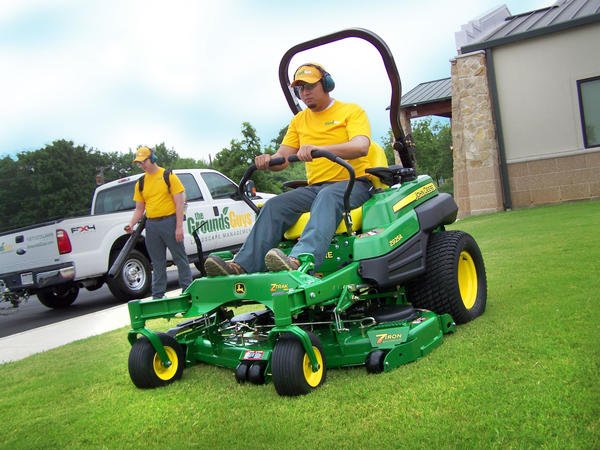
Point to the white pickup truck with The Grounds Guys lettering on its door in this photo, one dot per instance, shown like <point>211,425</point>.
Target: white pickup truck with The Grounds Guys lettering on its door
<point>55,259</point>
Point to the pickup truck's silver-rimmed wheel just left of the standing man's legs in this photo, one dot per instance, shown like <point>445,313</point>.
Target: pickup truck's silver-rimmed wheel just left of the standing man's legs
<point>134,279</point>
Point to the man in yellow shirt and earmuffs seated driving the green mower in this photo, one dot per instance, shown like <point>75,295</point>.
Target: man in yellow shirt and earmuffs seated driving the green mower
<point>326,124</point>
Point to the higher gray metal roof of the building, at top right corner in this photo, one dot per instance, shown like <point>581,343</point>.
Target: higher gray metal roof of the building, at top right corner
<point>562,15</point>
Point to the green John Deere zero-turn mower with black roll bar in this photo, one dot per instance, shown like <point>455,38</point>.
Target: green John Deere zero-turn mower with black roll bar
<point>385,295</point>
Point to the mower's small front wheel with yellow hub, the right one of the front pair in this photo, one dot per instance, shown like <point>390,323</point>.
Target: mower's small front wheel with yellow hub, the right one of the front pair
<point>291,369</point>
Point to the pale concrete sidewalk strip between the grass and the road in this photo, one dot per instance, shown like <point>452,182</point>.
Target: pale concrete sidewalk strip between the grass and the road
<point>22,345</point>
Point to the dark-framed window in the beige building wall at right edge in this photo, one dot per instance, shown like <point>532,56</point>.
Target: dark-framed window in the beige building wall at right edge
<point>589,107</point>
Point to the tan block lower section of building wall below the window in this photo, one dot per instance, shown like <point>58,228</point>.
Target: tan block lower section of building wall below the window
<point>555,180</point>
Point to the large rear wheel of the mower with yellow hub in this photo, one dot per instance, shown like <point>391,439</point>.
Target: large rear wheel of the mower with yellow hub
<point>454,281</point>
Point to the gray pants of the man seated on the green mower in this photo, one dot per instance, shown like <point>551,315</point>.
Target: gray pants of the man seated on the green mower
<point>326,206</point>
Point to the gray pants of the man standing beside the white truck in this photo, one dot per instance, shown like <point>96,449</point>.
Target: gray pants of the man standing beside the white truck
<point>160,235</point>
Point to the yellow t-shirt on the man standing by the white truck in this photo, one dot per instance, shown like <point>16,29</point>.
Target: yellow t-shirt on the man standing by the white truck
<point>156,195</point>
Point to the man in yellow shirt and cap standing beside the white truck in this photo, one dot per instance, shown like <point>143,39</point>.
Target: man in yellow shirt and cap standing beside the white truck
<point>163,203</point>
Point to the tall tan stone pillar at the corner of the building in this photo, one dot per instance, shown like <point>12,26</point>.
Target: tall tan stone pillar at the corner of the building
<point>477,186</point>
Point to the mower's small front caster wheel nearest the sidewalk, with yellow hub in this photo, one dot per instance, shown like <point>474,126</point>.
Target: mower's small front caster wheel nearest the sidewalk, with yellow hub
<point>146,368</point>
